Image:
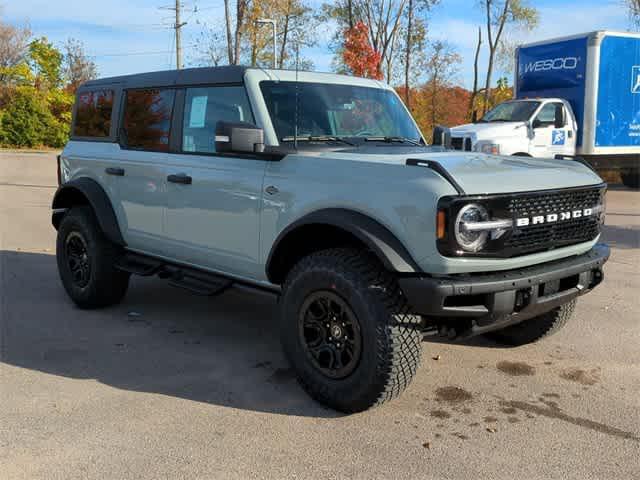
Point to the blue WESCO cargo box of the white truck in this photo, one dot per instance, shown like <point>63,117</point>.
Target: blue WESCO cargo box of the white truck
<point>598,73</point>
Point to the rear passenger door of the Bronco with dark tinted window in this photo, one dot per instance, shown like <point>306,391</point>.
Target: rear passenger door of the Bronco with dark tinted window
<point>140,176</point>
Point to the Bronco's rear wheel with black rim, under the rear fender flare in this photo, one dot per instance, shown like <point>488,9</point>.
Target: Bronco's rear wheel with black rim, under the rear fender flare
<point>86,261</point>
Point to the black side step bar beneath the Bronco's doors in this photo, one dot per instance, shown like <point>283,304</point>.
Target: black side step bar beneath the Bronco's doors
<point>196,281</point>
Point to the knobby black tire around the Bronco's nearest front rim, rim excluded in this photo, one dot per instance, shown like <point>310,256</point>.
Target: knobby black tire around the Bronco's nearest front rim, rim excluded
<point>391,337</point>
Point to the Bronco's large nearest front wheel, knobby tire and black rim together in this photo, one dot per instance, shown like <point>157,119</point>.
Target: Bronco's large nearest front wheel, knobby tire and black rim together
<point>346,331</point>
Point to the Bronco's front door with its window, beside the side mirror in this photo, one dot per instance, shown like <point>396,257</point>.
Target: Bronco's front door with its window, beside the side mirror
<point>214,200</point>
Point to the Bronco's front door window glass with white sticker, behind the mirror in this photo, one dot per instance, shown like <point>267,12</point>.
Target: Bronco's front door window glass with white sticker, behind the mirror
<point>204,108</point>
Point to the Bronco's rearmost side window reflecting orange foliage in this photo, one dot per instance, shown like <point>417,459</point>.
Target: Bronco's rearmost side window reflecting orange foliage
<point>93,113</point>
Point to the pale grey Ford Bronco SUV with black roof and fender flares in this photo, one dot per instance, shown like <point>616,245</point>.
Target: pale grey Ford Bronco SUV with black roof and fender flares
<point>320,189</point>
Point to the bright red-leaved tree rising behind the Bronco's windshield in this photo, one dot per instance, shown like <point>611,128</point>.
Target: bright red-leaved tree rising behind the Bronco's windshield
<point>358,55</point>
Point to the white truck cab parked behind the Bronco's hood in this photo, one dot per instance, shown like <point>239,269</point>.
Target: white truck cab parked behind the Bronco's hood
<point>533,127</point>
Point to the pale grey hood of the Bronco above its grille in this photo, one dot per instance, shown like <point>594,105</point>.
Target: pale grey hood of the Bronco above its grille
<point>478,173</point>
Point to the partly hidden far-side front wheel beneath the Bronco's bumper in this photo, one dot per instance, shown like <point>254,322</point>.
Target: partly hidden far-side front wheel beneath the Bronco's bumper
<point>535,328</point>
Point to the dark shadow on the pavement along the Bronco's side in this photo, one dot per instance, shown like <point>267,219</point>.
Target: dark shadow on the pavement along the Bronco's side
<point>223,350</point>
